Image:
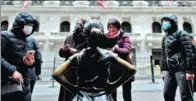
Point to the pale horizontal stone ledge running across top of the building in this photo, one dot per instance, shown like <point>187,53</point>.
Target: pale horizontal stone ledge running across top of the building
<point>97,9</point>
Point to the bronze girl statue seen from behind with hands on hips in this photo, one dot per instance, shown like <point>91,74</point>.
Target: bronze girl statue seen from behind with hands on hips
<point>93,71</point>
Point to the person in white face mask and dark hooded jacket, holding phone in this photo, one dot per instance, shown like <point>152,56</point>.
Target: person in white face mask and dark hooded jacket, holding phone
<point>14,59</point>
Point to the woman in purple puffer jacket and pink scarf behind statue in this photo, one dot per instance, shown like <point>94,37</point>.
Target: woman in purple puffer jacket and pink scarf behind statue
<point>123,49</point>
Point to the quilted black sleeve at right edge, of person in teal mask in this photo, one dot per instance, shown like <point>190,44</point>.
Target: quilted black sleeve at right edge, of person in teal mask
<point>187,44</point>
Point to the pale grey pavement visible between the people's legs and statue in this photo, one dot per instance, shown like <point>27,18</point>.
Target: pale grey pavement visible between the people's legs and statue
<point>142,91</point>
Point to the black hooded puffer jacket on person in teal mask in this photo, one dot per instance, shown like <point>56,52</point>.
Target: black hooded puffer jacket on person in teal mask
<point>177,53</point>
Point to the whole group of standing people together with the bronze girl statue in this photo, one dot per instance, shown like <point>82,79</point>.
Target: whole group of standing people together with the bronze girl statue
<point>96,63</point>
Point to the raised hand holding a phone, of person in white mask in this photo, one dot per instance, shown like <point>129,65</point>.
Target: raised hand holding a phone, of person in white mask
<point>29,60</point>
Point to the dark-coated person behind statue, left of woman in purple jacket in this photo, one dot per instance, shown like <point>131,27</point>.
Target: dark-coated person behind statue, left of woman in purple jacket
<point>73,44</point>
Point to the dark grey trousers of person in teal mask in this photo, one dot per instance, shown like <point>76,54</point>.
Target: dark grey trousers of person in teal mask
<point>174,79</point>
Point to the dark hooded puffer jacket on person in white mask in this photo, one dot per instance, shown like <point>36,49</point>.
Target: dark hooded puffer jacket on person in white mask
<point>14,46</point>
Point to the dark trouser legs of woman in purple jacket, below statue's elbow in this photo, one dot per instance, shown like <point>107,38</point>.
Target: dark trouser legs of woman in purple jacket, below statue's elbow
<point>127,96</point>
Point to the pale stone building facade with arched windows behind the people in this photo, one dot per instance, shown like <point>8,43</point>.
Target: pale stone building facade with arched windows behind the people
<point>141,20</point>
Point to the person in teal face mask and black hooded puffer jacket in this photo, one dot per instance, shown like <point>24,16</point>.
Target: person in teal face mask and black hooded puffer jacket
<point>176,60</point>
